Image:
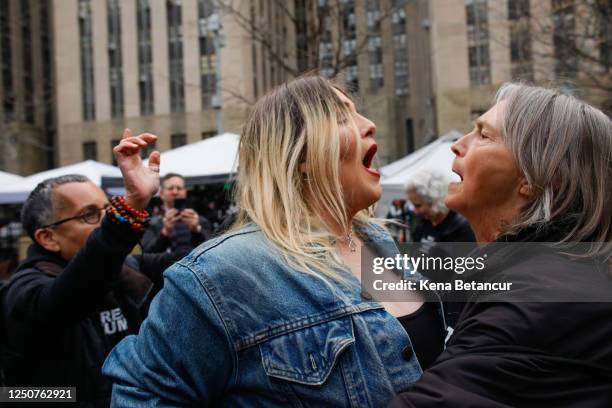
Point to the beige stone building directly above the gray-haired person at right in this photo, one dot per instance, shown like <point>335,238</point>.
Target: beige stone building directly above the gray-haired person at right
<point>566,43</point>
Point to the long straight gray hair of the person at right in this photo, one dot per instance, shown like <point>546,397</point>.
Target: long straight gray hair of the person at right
<point>563,147</point>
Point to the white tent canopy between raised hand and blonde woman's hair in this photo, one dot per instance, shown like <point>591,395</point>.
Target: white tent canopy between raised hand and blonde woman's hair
<point>208,161</point>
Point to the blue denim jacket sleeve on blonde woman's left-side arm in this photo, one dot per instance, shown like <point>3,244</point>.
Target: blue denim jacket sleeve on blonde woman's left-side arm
<point>182,355</point>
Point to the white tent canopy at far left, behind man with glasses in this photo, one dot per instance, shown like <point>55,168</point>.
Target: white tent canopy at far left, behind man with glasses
<point>18,191</point>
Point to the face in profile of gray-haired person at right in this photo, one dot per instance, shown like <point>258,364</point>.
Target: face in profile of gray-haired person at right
<point>490,179</point>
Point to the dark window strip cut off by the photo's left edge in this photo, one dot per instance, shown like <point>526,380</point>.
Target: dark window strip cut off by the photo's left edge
<point>7,68</point>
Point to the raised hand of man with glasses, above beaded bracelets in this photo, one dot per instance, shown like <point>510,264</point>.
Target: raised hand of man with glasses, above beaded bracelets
<point>140,182</point>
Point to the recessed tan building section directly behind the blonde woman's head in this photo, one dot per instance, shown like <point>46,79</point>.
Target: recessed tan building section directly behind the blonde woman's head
<point>377,47</point>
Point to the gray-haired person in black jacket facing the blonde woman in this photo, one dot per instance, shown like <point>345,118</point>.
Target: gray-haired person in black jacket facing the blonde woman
<point>537,167</point>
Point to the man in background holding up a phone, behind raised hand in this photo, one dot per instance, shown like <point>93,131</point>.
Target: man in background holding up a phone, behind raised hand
<point>176,226</point>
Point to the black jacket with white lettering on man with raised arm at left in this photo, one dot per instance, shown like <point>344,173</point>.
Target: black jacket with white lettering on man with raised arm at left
<point>60,319</point>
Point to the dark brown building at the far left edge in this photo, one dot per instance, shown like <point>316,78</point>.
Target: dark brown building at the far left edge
<point>26,86</point>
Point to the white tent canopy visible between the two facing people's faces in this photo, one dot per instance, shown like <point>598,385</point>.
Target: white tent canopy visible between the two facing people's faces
<point>434,156</point>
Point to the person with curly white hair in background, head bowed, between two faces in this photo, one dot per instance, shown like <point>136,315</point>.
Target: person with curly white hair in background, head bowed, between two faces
<point>427,191</point>
